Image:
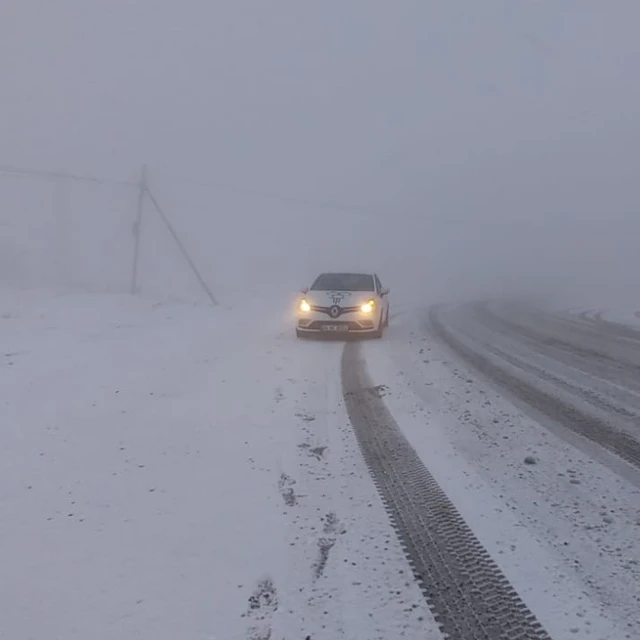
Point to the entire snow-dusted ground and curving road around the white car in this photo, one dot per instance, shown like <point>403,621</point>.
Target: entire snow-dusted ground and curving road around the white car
<point>169,471</point>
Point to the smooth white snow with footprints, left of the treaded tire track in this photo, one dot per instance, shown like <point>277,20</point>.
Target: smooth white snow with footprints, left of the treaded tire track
<point>161,464</point>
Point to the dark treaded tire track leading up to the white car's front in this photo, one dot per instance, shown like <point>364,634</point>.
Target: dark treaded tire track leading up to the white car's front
<point>468,594</point>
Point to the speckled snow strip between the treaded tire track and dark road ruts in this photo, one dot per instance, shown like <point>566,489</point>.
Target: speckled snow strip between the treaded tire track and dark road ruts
<point>565,531</point>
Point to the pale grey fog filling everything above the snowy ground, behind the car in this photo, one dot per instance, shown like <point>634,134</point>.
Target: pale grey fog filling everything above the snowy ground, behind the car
<point>459,149</point>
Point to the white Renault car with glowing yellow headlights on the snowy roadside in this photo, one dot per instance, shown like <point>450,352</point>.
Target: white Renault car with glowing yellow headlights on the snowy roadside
<point>344,303</point>
